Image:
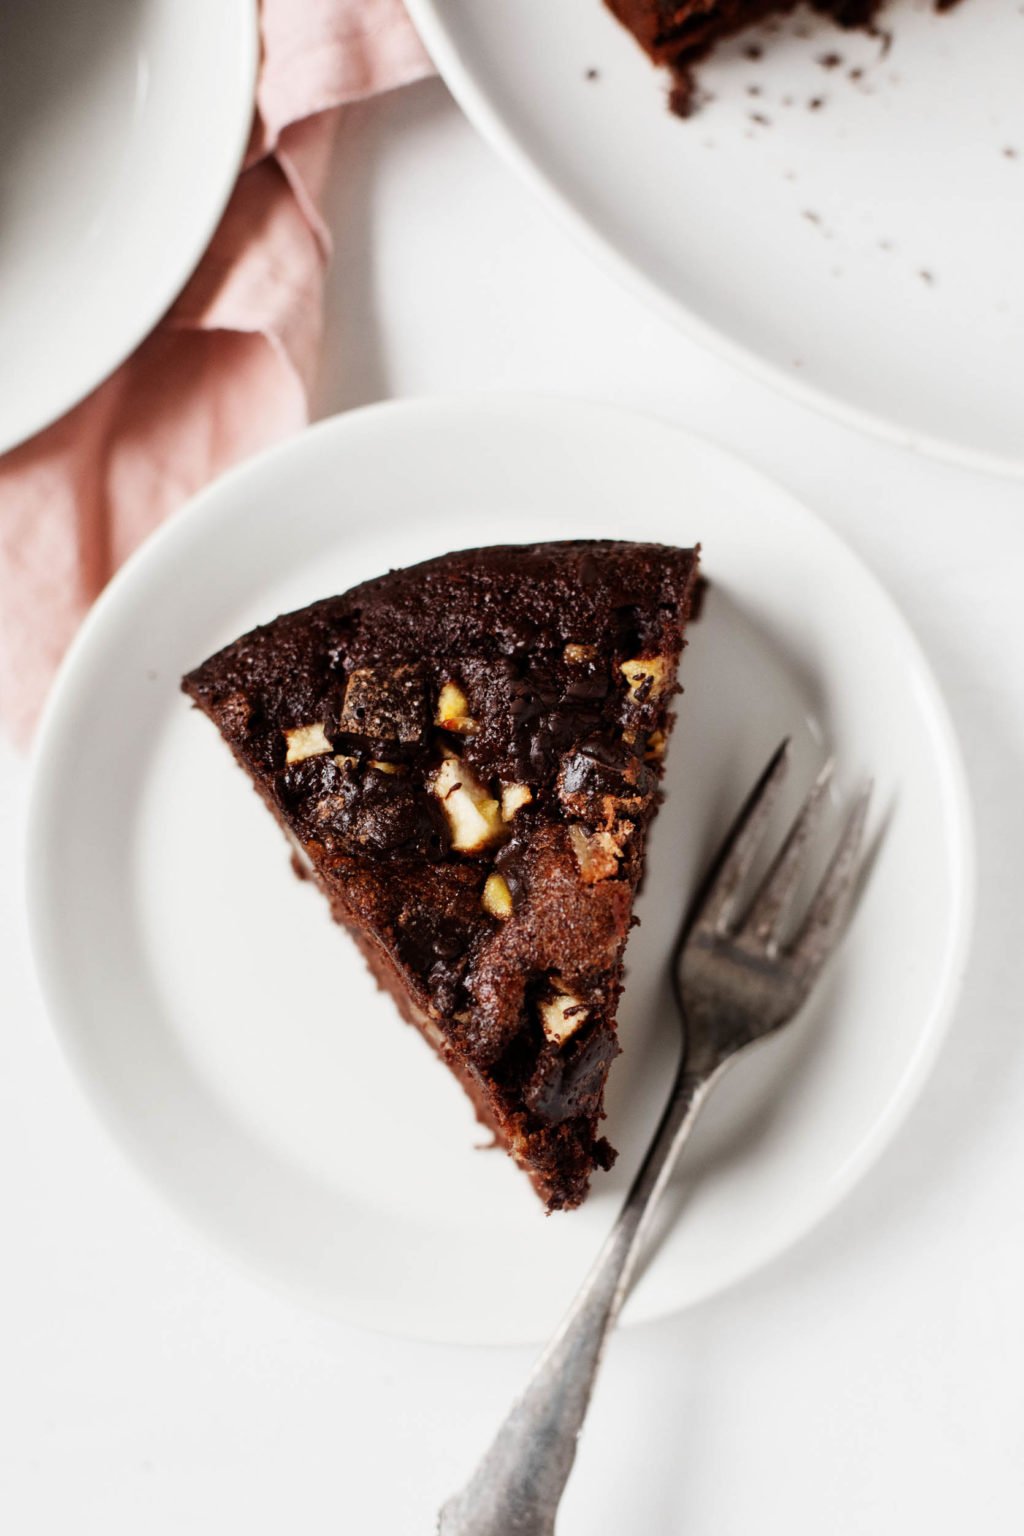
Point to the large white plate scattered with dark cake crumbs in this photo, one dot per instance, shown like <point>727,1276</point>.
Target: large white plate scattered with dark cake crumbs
<point>865,256</point>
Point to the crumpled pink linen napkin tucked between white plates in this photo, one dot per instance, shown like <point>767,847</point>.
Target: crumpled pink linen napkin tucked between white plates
<point>226,372</point>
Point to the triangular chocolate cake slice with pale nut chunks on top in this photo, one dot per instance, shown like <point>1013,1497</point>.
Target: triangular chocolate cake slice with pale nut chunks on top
<point>469,753</point>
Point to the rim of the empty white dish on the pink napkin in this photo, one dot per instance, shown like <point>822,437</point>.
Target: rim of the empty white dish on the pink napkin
<point>245,74</point>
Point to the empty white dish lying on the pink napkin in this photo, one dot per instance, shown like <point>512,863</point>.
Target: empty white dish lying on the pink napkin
<point>124,125</point>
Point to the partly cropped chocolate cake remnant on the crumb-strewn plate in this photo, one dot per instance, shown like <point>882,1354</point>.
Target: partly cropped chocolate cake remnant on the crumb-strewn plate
<point>681,33</point>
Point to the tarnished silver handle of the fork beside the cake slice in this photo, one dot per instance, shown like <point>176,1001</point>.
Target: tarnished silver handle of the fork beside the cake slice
<point>518,1486</point>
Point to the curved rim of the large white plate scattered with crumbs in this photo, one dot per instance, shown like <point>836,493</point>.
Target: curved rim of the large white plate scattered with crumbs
<point>443,47</point>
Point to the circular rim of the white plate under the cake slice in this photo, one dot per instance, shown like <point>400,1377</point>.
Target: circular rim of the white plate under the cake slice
<point>44,781</point>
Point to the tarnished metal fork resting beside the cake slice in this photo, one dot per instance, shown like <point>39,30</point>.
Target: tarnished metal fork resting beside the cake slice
<point>736,981</point>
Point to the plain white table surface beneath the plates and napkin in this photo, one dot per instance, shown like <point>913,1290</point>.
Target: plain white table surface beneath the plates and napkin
<point>870,1383</point>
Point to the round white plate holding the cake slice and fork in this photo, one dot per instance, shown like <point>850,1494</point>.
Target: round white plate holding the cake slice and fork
<point>228,1028</point>
